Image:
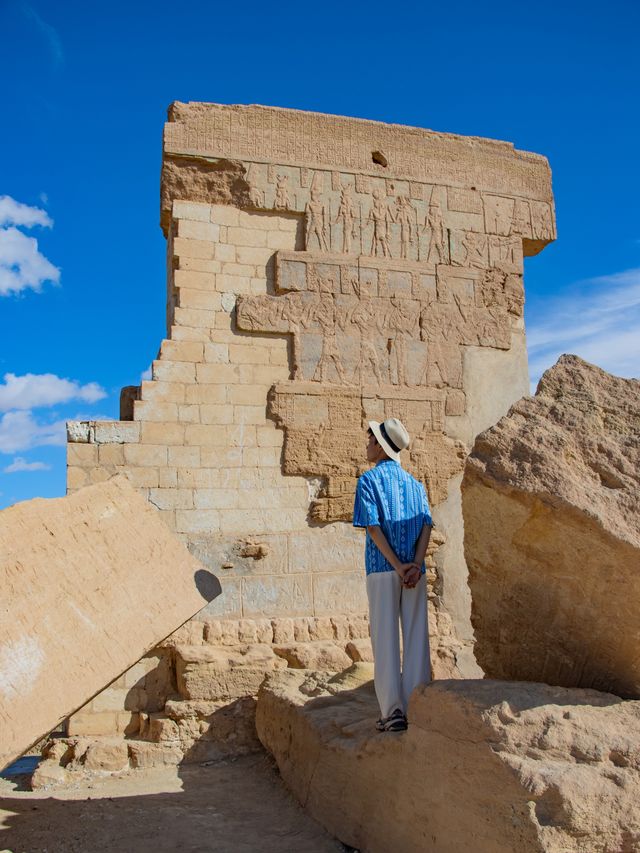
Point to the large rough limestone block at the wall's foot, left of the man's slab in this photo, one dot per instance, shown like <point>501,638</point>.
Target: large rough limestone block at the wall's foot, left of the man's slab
<point>215,673</point>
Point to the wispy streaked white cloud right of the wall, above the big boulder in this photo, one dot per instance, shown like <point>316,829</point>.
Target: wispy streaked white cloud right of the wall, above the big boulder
<point>597,319</point>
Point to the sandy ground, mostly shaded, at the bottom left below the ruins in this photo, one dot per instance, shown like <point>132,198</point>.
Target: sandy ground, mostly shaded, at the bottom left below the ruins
<point>234,806</point>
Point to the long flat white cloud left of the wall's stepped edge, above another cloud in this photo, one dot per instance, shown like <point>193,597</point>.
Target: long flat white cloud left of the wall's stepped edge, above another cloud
<point>46,389</point>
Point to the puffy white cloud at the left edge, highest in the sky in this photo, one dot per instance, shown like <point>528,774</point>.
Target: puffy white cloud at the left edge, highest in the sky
<point>22,265</point>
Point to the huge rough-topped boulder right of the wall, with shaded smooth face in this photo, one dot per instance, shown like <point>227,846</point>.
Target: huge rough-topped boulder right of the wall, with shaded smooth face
<point>551,504</point>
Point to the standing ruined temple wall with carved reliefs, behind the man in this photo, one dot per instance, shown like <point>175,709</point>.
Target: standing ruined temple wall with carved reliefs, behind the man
<point>321,272</point>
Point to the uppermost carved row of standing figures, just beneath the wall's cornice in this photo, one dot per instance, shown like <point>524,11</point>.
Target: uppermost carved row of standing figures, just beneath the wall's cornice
<point>363,215</point>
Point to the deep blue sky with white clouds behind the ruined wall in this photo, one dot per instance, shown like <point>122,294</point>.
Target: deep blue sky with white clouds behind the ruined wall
<point>86,87</point>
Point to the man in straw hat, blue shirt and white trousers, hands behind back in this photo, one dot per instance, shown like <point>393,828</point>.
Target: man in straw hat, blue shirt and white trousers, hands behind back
<point>393,507</point>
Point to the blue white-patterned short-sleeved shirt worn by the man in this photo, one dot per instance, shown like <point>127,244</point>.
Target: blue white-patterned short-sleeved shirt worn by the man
<point>391,498</point>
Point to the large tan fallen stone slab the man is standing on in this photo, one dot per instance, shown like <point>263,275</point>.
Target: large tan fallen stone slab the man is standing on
<point>487,766</point>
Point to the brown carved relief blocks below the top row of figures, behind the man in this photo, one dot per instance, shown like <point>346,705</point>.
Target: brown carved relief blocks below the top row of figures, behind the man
<point>375,321</point>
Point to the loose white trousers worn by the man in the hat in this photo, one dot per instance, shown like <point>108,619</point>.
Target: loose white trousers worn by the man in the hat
<point>388,602</point>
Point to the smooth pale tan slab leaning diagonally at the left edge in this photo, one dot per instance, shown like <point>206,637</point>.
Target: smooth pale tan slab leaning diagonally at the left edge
<point>88,585</point>
